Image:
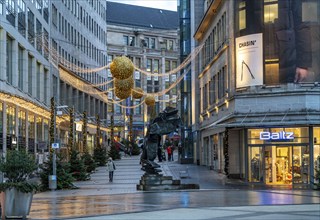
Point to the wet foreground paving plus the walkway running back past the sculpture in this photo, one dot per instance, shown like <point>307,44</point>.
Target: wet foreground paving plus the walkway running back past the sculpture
<point>98,197</point>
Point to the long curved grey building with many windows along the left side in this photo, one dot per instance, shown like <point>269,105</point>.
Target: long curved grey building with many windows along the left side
<point>45,47</point>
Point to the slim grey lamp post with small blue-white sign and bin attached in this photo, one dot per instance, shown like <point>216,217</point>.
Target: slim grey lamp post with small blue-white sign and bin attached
<point>55,145</point>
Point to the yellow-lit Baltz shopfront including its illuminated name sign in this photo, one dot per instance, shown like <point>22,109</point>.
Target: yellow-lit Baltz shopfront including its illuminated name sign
<point>282,155</point>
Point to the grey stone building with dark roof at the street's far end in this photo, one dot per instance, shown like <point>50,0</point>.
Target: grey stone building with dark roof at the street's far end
<point>149,37</point>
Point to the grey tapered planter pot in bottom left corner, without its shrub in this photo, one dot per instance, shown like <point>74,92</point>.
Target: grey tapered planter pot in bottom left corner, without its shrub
<point>15,204</point>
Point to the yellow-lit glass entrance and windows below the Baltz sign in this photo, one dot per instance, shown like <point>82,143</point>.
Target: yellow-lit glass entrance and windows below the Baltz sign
<point>279,164</point>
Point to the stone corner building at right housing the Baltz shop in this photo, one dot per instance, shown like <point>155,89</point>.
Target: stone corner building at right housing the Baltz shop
<point>259,93</point>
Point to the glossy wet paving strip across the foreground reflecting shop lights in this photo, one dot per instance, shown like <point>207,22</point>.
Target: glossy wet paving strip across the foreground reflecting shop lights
<point>79,206</point>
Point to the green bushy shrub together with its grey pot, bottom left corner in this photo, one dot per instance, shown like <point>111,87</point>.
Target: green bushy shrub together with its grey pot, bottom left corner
<point>17,190</point>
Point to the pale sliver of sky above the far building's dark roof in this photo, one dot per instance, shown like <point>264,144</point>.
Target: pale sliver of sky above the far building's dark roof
<point>161,4</point>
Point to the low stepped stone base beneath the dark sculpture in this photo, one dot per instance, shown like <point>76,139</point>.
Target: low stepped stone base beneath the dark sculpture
<point>153,182</point>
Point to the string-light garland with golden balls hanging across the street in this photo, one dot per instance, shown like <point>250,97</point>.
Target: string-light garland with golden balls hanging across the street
<point>122,70</point>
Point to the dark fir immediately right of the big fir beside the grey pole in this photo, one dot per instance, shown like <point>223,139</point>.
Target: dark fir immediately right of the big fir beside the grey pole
<point>77,167</point>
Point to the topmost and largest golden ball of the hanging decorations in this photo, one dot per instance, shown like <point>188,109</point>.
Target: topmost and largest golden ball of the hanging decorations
<point>121,68</point>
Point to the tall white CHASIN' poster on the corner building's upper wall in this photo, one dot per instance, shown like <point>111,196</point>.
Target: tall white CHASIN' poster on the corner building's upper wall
<point>249,58</point>
